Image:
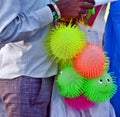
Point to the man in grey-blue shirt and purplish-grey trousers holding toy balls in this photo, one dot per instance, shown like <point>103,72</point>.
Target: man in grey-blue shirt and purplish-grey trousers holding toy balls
<point>26,73</point>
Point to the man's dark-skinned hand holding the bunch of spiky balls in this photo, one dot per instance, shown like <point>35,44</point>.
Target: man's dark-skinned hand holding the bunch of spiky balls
<point>74,8</point>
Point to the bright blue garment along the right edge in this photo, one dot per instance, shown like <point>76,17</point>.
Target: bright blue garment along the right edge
<point>112,46</point>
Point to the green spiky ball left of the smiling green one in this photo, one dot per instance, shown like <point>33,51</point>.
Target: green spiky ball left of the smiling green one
<point>69,82</point>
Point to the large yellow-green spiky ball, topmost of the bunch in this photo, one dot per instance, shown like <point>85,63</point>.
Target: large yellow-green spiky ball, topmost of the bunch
<point>64,42</point>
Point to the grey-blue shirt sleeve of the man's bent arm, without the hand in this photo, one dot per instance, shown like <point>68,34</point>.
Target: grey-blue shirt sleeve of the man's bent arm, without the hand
<point>16,25</point>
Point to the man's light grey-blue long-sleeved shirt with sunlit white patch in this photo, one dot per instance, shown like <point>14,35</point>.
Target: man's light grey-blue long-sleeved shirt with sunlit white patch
<point>23,27</point>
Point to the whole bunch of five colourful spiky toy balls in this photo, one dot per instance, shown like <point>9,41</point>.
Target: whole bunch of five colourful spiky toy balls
<point>83,78</point>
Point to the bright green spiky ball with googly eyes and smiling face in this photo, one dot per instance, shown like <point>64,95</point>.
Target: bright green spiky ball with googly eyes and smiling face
<point>101,88</point>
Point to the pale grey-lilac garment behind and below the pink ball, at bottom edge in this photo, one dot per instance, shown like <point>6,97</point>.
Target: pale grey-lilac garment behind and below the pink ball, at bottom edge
<point>60,109</point>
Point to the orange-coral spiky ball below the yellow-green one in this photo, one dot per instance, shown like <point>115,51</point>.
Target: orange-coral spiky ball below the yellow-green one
<point>90,62</point>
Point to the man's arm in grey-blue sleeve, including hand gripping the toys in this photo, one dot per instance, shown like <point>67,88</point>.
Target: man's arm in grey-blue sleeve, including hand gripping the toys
<point>16,25</point>
